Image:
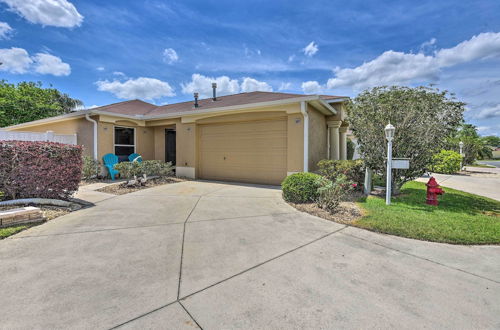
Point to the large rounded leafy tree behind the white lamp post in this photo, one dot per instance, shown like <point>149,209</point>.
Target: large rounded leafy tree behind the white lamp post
<point>424,117</point>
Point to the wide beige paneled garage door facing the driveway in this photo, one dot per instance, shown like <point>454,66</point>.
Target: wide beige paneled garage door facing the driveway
<point>246,152</point>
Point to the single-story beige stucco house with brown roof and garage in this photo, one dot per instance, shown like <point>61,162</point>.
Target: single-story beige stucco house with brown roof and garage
<point>258,137</point>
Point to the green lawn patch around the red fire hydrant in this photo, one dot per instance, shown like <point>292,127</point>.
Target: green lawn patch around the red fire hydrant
<point>460,218</point>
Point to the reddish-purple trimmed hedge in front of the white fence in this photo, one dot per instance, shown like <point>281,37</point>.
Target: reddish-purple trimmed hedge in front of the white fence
<point>39,169</point>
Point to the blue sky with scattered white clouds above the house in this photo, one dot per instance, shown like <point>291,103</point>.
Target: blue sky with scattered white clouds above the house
<point>103,52</point>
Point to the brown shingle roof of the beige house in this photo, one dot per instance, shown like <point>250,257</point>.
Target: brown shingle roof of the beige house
<point>138,107</point>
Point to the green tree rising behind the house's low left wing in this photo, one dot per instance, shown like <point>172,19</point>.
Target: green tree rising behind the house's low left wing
<point>29,101</point>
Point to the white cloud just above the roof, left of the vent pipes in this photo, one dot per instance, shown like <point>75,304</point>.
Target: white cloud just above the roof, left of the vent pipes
<point>140,88</point>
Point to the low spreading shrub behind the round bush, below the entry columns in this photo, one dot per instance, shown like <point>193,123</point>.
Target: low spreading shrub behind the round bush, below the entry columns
<point>353,169</point>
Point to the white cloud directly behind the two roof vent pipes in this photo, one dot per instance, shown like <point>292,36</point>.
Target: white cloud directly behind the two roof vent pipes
<point>203,85</point>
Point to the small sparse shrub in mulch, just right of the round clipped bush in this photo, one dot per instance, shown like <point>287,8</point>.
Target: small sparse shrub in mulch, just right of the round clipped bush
<point>331,193</point>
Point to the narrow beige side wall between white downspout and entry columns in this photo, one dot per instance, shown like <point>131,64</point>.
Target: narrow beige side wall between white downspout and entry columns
<point>318,138</point>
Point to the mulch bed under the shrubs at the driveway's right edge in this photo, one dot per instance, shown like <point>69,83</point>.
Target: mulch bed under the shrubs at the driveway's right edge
<point>347,212</point>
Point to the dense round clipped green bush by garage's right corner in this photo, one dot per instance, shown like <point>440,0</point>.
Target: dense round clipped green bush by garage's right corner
<point>300,187</point>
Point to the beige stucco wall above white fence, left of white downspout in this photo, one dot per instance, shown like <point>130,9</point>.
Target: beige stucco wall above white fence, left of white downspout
<point>79,126</point>
